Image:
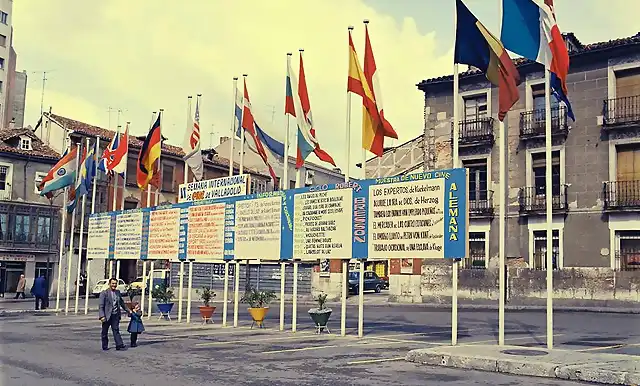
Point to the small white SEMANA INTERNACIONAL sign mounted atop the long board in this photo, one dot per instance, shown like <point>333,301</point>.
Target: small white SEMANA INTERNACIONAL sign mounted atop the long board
<point>216,188</point>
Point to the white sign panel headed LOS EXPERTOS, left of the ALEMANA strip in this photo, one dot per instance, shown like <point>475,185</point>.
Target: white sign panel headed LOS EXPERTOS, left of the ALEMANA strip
<point>407,218</point>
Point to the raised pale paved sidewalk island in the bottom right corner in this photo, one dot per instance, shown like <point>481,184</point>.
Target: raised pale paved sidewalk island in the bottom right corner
<point>610,369</point>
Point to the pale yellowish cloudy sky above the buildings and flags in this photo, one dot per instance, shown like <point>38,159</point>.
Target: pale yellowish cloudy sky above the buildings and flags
<point>144,55</point>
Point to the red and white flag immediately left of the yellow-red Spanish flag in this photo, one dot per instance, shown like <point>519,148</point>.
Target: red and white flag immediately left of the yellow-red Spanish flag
<point>307,141</point>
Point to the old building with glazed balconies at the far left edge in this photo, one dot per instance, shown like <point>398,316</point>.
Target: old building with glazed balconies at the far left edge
<point>29,223</point>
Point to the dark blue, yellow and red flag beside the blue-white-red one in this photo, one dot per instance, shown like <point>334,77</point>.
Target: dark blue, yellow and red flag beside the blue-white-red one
<point>477,47</point>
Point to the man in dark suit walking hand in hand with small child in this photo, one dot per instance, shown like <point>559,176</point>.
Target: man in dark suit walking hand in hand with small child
<point>110,306</point>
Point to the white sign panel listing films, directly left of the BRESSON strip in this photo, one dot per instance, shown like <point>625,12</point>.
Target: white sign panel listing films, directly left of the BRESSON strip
<point>323,224</point>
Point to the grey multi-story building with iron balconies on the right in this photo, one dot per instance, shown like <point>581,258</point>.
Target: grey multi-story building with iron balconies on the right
<point>595,160</point>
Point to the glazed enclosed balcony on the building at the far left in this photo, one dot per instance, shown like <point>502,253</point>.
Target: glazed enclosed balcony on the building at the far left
<point>28,227</point>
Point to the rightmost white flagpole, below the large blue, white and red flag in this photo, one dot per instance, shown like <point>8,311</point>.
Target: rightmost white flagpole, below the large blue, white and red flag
<point>548,193</point>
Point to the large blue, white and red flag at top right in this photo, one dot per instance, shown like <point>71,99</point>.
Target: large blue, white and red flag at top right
<point>529,29</point>
